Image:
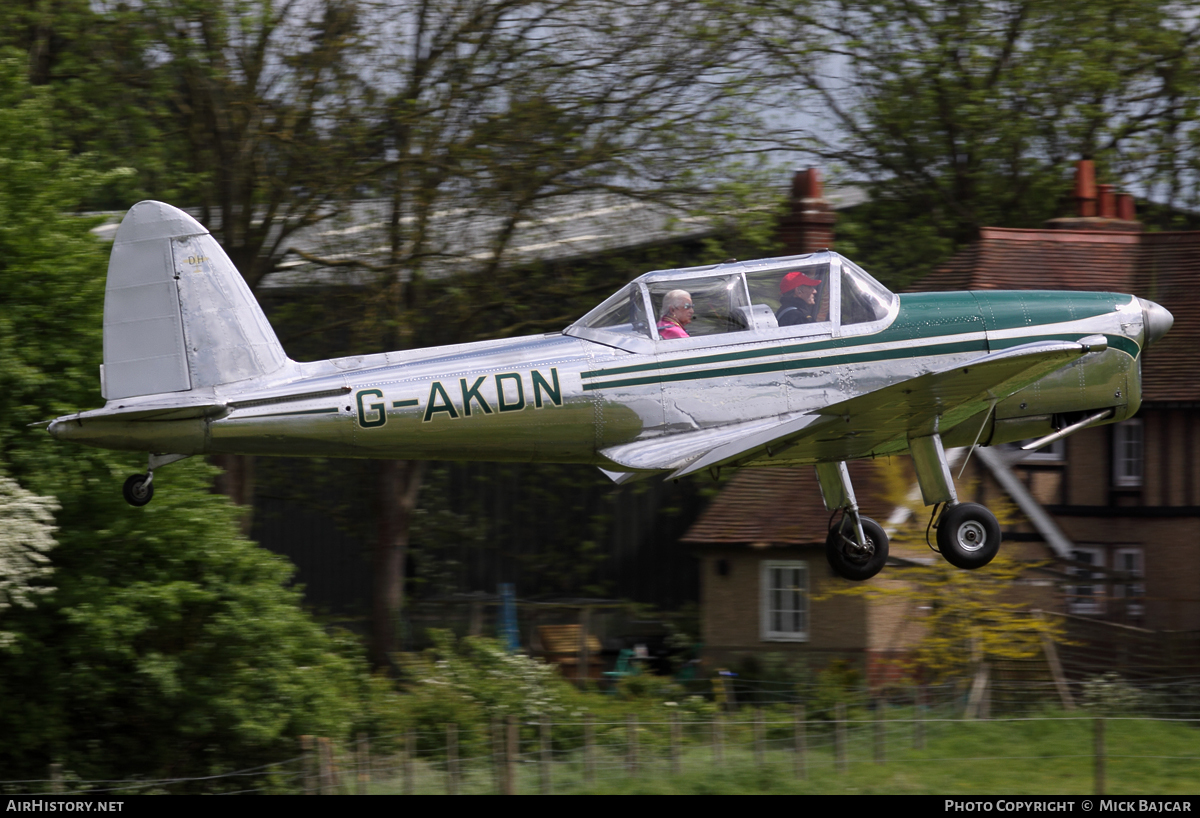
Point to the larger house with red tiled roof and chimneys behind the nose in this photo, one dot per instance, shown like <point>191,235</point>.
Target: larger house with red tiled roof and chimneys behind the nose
<point>1117,507</point>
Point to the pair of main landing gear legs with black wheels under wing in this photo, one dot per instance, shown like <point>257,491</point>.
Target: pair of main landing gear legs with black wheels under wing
<point>857,548</point>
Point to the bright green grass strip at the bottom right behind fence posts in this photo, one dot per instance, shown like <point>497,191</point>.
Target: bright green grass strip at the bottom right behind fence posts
<point>1046,756</point>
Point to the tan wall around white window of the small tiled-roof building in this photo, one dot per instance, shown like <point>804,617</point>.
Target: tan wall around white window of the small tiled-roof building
<point>731,609</point>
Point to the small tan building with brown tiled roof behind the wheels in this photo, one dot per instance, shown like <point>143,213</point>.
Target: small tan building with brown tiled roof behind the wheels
<point>765,582</point>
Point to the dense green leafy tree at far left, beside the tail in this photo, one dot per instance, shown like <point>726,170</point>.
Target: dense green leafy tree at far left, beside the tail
<point>170,647</point>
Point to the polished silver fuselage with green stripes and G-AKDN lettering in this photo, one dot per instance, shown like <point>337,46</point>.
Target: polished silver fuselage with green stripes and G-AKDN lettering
<point>568,400</point>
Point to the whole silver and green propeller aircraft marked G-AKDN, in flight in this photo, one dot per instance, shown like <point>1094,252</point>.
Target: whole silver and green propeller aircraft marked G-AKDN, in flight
<point>681,372</point>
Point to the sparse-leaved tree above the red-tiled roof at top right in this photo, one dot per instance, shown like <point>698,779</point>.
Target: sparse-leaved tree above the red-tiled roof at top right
<point>957,116</point>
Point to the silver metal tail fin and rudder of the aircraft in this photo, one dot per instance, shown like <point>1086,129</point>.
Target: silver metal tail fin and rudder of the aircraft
<point>178,315</point>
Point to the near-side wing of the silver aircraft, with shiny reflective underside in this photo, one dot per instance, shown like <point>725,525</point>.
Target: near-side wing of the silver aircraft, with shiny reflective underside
<point>884,420</point>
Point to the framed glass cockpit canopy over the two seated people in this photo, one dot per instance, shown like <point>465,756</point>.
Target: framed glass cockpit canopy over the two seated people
<point>743,298</point>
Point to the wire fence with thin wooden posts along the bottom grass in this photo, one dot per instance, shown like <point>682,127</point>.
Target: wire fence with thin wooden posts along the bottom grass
<point>523,756</point>
